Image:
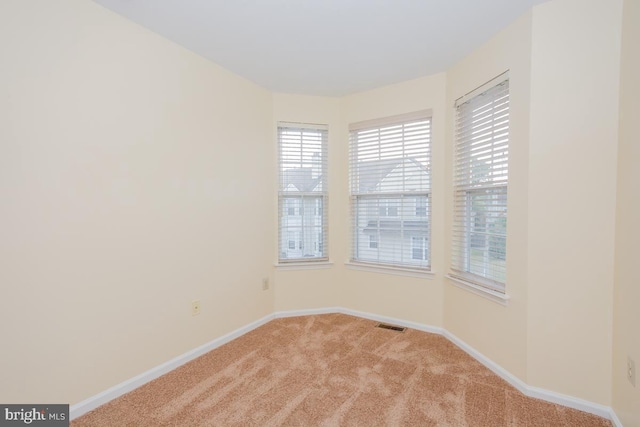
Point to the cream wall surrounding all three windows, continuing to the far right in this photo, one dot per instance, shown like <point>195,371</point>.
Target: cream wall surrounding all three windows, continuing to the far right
<point>556,331</point>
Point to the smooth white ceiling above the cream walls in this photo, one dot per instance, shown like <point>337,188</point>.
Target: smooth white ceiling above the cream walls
<point>326,47</point>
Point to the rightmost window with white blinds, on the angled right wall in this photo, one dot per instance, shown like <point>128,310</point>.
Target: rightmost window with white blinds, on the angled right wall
<point>480,185</point>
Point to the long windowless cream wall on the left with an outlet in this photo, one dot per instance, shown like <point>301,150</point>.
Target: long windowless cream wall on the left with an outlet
<point>132,182</point>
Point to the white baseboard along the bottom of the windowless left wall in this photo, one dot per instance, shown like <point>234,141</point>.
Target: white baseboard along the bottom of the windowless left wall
<point>118,390</point>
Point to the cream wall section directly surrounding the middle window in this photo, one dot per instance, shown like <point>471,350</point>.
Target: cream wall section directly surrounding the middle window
<point>408,298</point>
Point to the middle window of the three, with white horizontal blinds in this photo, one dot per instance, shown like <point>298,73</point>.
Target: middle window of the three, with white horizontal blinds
<point>389,170</point>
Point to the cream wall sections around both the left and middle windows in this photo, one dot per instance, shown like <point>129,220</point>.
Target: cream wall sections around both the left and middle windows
<point>408,298</point>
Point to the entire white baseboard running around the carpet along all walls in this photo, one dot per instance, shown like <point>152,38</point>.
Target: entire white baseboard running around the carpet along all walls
<point>535,392</point>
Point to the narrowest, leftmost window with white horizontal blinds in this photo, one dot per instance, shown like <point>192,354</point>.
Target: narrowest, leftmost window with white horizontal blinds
<point>302,194</point>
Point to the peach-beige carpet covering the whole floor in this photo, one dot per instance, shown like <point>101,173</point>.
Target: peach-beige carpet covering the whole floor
<point>333,370</point>
